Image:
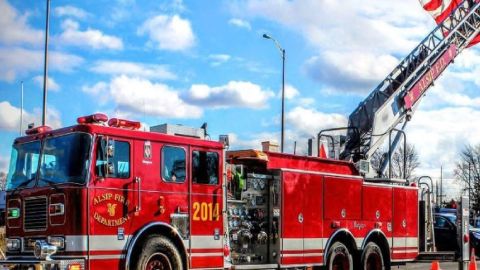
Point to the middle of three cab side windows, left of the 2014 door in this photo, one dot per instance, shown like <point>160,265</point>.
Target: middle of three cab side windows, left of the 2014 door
<point>173,164</point>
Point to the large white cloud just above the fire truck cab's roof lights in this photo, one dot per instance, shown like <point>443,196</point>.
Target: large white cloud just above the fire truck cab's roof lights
<point>140,96</point>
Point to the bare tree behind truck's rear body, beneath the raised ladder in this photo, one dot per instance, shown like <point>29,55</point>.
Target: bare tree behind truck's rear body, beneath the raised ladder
<point>411,161</point>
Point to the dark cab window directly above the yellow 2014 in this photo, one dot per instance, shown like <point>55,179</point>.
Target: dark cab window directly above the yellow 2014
<point>205,167</point>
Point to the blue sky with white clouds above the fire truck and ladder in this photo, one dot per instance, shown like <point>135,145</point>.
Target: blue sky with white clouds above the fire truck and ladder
<point>190,62</point>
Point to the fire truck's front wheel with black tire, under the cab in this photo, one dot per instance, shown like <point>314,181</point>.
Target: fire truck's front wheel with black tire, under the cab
<point>159,253</point>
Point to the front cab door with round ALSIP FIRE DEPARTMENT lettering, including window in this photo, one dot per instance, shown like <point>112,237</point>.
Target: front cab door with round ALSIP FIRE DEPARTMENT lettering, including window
<point>112,201</point>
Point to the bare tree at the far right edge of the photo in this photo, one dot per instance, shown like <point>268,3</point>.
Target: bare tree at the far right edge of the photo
<point>467,171</point>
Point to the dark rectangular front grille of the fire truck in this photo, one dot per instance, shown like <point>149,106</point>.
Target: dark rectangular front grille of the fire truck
<point>35,210</point>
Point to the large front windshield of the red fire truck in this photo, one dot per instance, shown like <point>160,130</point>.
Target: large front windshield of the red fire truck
<point>62,159</point>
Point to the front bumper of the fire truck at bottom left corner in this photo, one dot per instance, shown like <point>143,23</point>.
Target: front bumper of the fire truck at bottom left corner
<point>57,264</point>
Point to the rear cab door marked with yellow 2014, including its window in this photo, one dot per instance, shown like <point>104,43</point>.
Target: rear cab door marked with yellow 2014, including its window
<point>206,246</point>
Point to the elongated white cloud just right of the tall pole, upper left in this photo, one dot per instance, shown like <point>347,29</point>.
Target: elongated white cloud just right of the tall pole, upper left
<point>93,38</point>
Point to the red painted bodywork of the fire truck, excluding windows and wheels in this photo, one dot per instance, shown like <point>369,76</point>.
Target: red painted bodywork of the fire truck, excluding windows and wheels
<point>319,197</point>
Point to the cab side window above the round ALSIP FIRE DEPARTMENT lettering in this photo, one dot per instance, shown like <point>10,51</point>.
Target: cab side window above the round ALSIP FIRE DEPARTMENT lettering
<point>119,162</point>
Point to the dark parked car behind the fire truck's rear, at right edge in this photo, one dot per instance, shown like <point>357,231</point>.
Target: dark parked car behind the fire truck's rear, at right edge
<point>445,229</point>
